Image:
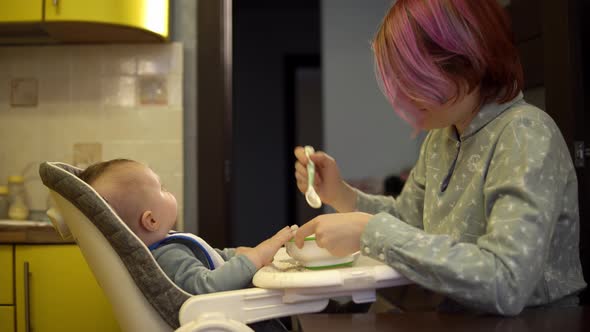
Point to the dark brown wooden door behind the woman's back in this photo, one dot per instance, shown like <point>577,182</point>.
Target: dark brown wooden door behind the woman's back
<point>553,39</point>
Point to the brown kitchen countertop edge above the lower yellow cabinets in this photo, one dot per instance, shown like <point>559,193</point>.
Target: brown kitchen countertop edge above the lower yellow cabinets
<point>31,232</point>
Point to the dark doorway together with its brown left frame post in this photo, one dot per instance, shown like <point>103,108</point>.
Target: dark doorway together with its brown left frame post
<point>245,160</point>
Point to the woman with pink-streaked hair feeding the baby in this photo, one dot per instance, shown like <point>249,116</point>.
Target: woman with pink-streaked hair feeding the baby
<point>488,217</point>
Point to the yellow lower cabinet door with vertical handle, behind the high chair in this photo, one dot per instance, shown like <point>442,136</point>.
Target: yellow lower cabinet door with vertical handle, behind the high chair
<point>55,291</point>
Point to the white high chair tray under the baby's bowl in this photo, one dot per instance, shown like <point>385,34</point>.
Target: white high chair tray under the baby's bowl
<point>285,272</point>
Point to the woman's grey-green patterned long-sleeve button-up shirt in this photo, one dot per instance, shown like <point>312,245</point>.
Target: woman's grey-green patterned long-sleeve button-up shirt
<point>490,219</point>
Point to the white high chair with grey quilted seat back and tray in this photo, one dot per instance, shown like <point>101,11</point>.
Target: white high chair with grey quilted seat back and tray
<point>145,299</point>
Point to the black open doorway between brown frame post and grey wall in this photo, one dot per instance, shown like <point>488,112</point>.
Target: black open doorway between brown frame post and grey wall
<point>268,37</point>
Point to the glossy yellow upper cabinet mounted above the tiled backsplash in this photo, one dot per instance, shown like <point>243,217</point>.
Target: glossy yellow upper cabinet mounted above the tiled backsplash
<point>83,21</point>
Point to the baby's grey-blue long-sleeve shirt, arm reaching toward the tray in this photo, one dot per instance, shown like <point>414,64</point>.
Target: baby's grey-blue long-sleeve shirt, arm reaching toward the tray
<point>182,266</point>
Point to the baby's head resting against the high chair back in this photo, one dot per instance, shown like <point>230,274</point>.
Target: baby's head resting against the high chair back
<point>134,191</point>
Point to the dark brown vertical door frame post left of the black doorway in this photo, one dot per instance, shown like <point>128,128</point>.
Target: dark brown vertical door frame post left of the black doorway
<point>214,119</point>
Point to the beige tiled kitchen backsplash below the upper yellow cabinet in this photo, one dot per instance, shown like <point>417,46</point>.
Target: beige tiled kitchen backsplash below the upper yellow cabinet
<point>126,98</point>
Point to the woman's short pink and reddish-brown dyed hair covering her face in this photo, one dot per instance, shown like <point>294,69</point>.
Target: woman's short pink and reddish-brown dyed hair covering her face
<point>430,52</point>
